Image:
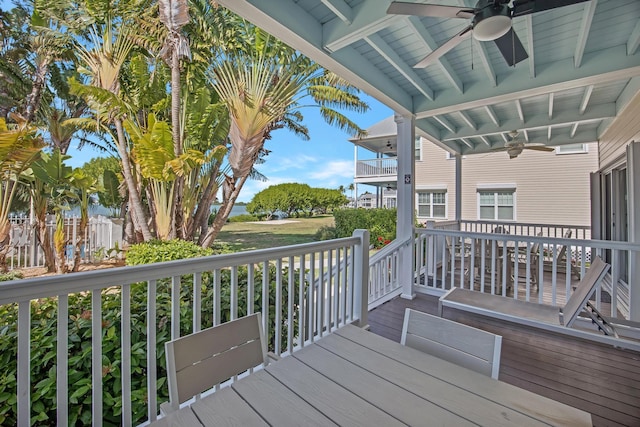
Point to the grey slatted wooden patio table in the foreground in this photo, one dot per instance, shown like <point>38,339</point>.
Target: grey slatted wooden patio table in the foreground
<point>356,378</point>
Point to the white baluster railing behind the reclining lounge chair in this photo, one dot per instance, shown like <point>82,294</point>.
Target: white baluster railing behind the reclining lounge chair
<point>441,265</point>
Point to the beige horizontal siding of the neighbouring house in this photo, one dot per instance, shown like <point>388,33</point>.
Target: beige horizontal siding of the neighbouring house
<point>550,188</point>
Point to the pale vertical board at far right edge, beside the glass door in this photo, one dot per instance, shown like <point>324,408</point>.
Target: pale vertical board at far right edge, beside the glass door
<point>633,202</point>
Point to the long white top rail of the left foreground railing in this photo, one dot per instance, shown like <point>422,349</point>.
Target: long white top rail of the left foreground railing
<point>42,287</point>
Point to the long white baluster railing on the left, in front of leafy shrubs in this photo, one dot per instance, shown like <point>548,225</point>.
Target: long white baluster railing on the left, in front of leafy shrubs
<point>129,312</point>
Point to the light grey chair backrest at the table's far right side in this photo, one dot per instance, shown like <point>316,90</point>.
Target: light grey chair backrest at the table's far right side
<point>463,345</point>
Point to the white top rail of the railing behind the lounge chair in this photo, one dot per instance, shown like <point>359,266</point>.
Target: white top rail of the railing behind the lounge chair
<point>599,244</point>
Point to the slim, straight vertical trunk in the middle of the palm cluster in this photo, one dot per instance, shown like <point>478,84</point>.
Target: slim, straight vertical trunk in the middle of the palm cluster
<point>177,213</point>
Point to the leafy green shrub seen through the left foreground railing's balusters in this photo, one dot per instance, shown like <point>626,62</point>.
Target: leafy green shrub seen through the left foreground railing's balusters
<point>44,327</point>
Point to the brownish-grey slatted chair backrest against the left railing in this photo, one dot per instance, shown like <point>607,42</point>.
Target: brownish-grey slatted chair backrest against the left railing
<point>199,361</point>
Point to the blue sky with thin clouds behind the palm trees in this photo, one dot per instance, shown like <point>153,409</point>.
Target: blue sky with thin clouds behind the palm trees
<point>326,160</point>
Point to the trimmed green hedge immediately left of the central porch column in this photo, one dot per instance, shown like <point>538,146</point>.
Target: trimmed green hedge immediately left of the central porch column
<point>381,223</point>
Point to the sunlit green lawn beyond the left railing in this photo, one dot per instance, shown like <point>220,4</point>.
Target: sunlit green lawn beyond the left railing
<point>244,236</point>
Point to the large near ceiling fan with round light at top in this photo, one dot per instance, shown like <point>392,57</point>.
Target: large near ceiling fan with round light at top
<point>490,21</point>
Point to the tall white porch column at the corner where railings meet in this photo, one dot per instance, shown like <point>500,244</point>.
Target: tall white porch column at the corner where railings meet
<point>406,200</point>
